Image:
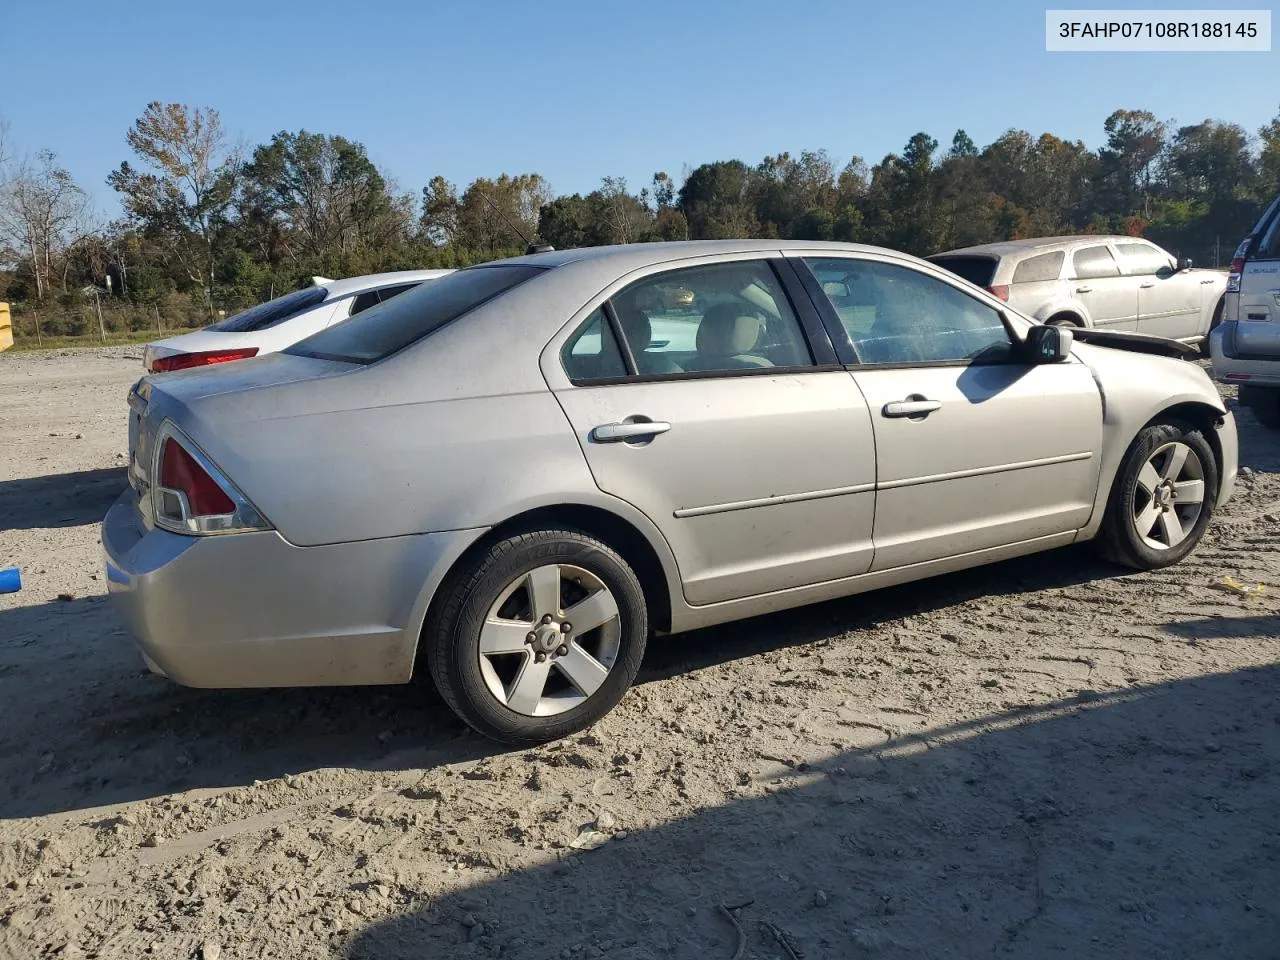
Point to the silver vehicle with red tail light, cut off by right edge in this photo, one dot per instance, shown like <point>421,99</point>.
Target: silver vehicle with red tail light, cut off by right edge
<point>1246,349</point>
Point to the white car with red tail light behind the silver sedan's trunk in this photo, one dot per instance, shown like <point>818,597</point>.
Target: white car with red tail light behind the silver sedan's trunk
<point>282,322</point>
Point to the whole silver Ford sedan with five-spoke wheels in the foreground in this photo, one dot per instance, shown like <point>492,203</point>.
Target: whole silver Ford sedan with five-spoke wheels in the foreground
<point>509,478</point>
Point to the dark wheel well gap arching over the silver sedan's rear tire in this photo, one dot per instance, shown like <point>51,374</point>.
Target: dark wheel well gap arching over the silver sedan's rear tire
<point>607,528</point>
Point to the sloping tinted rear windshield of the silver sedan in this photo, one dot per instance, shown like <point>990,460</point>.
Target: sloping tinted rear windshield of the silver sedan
<point>395,324</point>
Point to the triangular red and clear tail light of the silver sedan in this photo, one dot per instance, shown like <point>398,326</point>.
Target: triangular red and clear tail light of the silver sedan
<point>195,497</point>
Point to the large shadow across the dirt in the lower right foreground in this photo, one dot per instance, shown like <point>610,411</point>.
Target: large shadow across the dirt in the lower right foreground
<point>1141,824</point>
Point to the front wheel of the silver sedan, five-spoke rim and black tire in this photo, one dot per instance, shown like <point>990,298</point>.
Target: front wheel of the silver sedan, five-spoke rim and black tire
<point>1163,497</point>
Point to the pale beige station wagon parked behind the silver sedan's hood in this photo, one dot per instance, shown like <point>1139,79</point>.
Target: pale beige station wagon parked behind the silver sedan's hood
<point>1118,284</point>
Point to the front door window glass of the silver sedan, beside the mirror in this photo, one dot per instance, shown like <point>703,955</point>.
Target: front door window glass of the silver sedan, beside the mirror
<point>898,316</point>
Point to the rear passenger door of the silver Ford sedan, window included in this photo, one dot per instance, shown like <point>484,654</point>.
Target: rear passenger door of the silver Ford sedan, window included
<point>710,397</point>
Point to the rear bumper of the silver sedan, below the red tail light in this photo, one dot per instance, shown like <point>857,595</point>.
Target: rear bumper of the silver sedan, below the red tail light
<point>253,610</point>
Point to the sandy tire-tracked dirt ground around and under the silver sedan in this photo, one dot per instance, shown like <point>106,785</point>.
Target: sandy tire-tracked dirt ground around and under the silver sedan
<point>1046,757</point>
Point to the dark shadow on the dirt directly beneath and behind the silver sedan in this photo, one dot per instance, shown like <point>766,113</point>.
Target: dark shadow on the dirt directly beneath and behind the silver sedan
<point>167,738</point>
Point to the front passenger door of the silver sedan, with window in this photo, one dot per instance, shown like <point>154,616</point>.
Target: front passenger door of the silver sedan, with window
<point>975,449</point>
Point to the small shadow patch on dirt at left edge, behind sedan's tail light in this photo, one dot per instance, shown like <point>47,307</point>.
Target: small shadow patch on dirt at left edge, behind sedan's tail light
<point>60,500</point>
